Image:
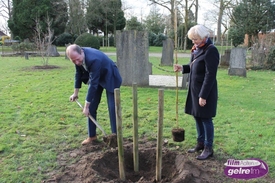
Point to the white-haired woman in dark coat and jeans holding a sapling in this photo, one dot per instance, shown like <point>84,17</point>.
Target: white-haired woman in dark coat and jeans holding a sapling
<point>202,94</point>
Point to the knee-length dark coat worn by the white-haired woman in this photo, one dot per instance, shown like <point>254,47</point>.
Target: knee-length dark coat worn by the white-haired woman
<point>202,81</point>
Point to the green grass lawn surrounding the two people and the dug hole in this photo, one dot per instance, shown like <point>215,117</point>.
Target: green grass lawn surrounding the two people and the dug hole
<point>38,122</point>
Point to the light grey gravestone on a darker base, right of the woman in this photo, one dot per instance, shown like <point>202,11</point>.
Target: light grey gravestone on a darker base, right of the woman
<point>237,63</point>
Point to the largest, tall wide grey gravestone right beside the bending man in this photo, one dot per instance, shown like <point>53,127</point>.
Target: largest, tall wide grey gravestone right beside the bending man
<point>133,57</point>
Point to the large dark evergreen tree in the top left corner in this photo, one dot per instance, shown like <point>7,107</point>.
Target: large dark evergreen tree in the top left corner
<point>25,13</point>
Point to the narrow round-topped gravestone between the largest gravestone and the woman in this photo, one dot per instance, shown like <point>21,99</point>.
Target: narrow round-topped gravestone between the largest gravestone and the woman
<point>167,58</point>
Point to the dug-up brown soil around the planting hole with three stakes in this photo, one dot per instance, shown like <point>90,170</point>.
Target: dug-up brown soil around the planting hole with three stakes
<point>98,163</point>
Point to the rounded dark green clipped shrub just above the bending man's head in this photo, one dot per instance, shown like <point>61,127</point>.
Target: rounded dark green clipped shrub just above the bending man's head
<point>87,40</point>
